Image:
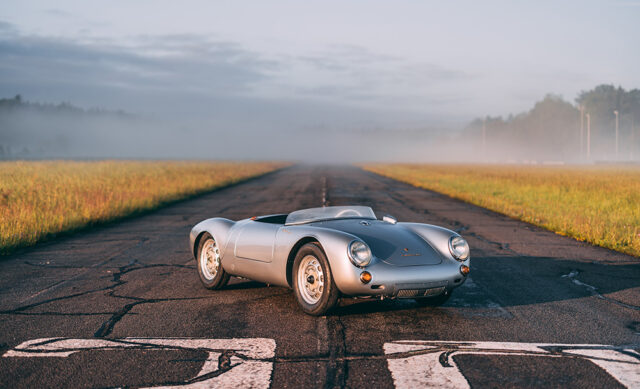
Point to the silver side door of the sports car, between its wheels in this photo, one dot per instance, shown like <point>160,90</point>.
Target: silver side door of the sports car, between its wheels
<point>256,241</point>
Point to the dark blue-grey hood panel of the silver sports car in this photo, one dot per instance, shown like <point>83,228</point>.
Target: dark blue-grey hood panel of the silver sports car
<point>392,243</point>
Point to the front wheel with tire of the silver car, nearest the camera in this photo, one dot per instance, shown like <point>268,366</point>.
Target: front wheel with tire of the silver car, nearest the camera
<point>317,297</point>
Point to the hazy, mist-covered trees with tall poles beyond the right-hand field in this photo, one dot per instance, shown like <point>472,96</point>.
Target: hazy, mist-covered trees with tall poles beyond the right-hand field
<point>555,129</point>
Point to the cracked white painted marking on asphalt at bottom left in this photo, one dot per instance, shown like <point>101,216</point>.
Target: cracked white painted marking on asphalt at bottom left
<point>250,369</point>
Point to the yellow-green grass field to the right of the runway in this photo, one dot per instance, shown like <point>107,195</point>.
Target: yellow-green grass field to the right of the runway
<point>597,204</point>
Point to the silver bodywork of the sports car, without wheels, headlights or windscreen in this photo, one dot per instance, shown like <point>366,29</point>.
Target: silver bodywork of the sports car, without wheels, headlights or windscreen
<point>405,255</point>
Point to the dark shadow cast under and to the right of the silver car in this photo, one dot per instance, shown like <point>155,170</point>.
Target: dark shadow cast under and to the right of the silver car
<point>504,281</point>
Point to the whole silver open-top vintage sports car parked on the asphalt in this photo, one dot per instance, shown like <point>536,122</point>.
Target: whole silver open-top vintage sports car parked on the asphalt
<point>323,253</point>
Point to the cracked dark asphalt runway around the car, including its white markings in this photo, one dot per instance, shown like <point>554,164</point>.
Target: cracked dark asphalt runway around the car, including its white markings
<point>136,279</point>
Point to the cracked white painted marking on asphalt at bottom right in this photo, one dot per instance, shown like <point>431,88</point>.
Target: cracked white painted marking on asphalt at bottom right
<point>429,364</point>
